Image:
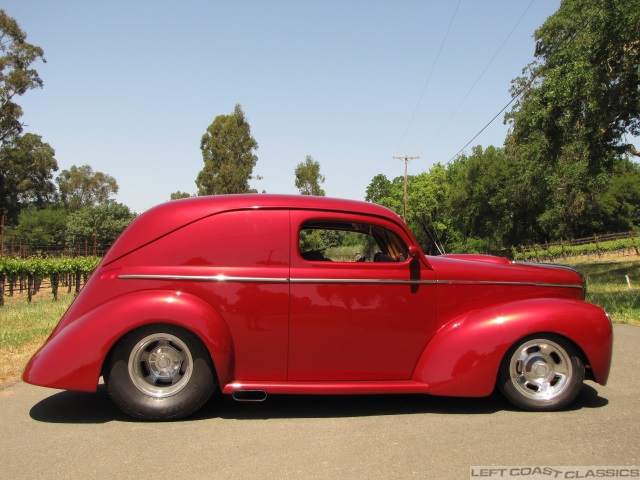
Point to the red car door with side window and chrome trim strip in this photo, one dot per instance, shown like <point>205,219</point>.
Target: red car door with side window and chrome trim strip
<point>364,316</point>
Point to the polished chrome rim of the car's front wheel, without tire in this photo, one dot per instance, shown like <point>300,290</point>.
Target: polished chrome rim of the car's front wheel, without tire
<point>540,369</point>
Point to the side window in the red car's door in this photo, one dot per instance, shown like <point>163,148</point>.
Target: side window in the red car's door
<point>326,241</point>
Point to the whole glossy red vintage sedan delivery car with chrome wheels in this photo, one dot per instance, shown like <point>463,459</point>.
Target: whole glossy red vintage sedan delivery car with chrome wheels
<point>259,294</point>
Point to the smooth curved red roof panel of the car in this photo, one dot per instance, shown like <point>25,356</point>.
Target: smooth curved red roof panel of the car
<point>163,219</point>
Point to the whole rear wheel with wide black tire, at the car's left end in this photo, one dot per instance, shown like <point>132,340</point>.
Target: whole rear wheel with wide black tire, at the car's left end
<point>160,372</point>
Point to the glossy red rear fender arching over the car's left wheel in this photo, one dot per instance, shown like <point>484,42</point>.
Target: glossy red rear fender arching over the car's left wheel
<point>72,357</point>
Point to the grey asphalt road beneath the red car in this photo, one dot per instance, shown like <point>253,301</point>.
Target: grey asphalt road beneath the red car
<point>55,434</point>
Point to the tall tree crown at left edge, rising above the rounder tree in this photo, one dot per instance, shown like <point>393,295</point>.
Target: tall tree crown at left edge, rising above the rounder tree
<point>16,75</point>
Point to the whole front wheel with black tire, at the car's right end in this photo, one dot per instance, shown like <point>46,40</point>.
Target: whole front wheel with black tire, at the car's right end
<point>542,372</point>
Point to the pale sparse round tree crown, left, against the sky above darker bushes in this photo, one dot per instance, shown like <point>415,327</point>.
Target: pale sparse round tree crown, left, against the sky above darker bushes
<point>81,187</point>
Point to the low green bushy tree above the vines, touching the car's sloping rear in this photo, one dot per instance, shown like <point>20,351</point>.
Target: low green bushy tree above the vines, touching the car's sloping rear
<point>101,223</point>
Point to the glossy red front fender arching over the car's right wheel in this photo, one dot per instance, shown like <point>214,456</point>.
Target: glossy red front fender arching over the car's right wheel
<point>463,357</point>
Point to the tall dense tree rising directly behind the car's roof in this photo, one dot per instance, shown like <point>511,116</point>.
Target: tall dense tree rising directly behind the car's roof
<point>227,151</point>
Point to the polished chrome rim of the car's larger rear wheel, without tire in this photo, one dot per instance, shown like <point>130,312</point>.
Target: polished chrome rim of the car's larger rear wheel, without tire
<point>160,365</point>
